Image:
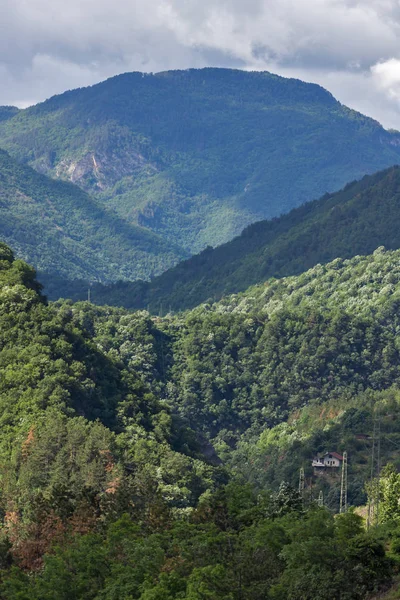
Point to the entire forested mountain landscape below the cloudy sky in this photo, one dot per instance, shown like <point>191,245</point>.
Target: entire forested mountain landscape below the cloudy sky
<point>222,426</point>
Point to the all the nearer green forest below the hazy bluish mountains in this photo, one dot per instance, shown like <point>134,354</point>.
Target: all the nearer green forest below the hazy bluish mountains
<point>158,458</point>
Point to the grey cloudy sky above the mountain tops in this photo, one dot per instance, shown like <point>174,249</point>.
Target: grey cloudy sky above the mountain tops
<point>350,47</point>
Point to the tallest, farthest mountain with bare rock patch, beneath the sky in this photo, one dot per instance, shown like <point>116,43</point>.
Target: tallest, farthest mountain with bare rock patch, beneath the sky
<point>197,155</point>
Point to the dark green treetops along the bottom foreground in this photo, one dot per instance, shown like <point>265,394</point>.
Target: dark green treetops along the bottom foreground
<point>297,557</point>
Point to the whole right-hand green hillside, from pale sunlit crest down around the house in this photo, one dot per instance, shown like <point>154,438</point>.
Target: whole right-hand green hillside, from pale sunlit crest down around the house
<point>282,371</point>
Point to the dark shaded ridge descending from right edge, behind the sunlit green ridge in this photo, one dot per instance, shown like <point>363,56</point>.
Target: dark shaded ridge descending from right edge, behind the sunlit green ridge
<point>356,220</point>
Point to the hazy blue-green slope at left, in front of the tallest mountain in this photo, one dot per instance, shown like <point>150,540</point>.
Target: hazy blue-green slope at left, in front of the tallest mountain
<point>60,229</point>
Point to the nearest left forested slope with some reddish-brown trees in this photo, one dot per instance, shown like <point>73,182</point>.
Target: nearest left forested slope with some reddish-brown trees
<point>83,438</point>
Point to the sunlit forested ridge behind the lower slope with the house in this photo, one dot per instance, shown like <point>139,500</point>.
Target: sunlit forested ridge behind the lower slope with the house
<point>246,362</point>
